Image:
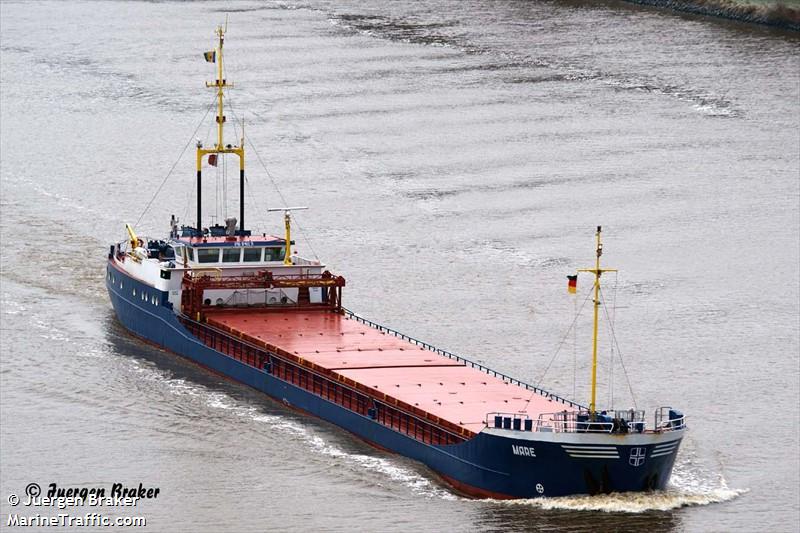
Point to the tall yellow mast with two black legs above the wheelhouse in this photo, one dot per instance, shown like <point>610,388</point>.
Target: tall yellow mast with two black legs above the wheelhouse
<point>216,56</point>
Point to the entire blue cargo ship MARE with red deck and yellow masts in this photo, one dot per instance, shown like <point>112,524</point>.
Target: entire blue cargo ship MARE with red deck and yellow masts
<point>242,304</point>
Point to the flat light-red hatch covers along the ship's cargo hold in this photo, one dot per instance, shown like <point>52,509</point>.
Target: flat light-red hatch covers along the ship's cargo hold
<point>446,388</point>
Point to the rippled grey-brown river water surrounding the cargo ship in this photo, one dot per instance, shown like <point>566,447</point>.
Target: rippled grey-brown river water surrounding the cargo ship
<point>456,158</point>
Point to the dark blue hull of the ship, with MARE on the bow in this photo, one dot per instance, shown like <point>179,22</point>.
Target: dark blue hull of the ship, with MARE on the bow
<point>495,463</point>
